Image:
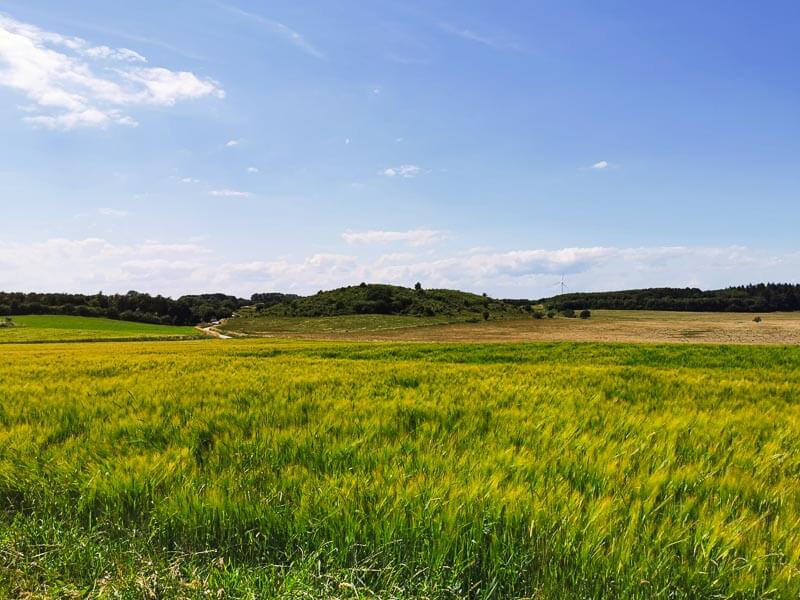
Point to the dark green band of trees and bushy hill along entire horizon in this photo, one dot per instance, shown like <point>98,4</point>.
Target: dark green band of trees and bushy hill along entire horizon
<point>193,309</point>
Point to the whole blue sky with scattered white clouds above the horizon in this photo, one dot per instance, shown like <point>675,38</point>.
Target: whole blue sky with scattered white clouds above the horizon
<point>492,146</point>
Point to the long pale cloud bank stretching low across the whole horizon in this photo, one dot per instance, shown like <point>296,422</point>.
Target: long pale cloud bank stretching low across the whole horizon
<point>92,264</point>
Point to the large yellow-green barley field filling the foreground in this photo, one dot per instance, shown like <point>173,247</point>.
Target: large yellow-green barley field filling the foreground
<point>285,469</point>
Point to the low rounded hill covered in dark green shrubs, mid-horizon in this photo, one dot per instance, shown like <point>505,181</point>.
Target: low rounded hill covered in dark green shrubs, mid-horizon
<point>380,299</point>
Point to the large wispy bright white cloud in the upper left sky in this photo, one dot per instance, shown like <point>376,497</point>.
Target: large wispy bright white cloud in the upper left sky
<point>74,84</point>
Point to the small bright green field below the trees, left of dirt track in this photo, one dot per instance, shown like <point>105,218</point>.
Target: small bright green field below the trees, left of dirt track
<point>47,328</point>
